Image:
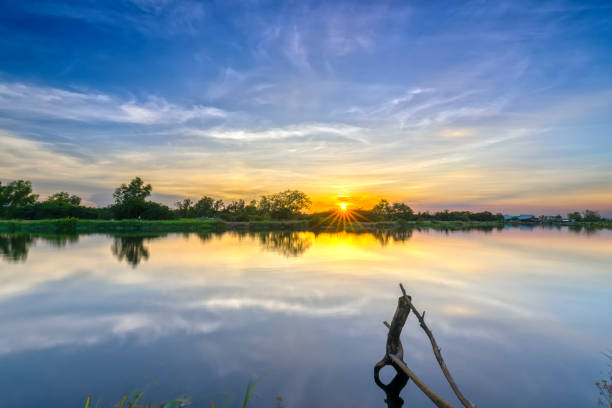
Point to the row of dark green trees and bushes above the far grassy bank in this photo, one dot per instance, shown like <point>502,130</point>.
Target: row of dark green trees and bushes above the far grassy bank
<point>17,201</point>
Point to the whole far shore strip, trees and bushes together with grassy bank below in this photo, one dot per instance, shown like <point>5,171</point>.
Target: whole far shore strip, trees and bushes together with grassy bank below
<point>21,210</point>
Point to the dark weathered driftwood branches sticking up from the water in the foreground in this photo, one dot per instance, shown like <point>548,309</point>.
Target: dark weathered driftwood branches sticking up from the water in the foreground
<point>394,356</point>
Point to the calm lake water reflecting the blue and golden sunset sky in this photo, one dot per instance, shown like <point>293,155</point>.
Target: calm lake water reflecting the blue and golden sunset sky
<point>521,315</point>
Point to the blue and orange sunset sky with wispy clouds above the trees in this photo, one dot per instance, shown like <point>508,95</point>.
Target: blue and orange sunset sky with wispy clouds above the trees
<point>473,105</point>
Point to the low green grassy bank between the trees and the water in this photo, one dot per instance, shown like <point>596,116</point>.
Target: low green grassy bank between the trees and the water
<point>72,225</point>
